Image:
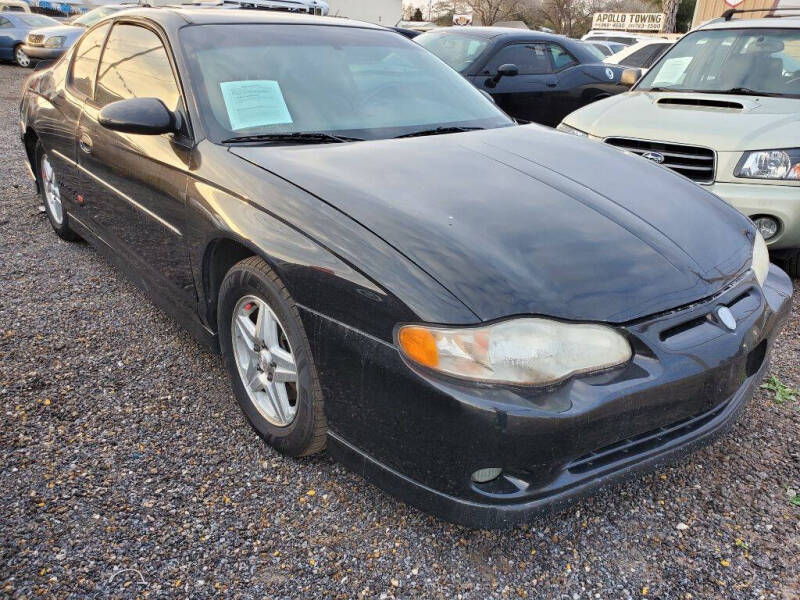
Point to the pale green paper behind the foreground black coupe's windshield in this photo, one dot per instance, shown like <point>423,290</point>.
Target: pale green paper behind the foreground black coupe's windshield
<point>254,103</point>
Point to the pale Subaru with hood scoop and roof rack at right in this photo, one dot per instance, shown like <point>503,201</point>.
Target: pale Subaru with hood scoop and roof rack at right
<point>721,107</point>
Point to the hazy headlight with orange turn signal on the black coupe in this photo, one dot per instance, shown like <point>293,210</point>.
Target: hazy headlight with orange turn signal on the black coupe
<point>525,351</point>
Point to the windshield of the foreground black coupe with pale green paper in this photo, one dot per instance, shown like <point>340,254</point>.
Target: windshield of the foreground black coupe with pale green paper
<point>259,79</point>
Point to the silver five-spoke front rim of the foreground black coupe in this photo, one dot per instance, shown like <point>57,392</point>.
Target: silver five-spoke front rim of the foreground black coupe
<point>265,360</point>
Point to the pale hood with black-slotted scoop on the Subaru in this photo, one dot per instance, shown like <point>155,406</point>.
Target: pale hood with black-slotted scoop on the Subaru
<point>760,123</point>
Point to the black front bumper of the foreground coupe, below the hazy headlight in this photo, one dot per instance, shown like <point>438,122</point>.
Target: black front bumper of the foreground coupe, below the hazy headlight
<point>421,437</point>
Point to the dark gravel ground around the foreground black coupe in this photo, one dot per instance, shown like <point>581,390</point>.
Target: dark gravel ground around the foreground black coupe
<point>128,471</point>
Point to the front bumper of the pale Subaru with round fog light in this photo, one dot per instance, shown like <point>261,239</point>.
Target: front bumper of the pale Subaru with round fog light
<point>779,201</point>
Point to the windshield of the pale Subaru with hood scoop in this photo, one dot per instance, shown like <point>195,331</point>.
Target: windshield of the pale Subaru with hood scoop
<point>743,61</point>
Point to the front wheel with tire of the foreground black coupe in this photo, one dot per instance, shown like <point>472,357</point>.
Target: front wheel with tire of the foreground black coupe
<point>267,355</point>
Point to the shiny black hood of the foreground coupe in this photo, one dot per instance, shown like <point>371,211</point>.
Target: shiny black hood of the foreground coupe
<point>527,220</point>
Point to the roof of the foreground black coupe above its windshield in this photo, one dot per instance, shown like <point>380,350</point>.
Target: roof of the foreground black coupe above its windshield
<point>167,16</point>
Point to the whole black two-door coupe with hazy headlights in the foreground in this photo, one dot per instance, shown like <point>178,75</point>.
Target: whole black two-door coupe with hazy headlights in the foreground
<point>484,319</point>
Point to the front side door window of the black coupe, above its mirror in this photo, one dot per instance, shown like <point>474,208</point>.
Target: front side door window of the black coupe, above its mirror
<point>135,65</point>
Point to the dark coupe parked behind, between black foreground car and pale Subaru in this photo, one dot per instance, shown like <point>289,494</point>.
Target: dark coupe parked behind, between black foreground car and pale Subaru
<point>533,76</point>
